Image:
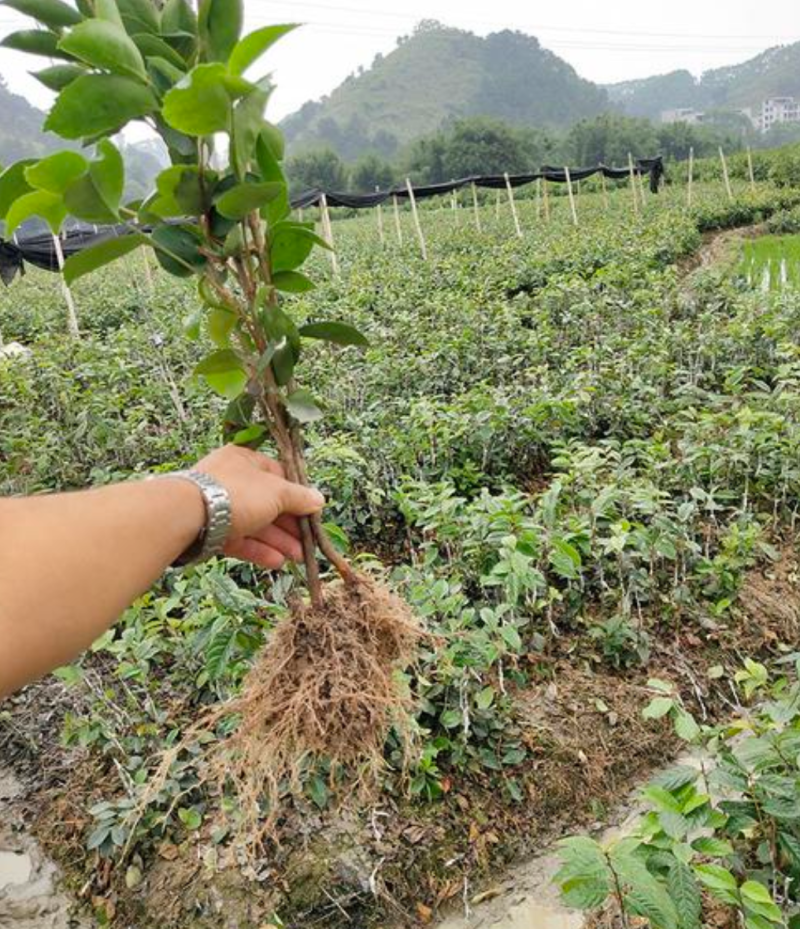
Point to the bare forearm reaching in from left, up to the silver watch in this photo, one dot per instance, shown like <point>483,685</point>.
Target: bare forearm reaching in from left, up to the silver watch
<point>70,564</point>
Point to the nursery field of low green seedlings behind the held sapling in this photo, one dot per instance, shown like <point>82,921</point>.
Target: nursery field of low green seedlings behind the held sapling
<point>576,454</point>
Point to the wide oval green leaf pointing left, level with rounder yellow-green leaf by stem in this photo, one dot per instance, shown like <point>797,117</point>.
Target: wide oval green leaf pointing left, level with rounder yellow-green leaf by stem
<point>98,104</point>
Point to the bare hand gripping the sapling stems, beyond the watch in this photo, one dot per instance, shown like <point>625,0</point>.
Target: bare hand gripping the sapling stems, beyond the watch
<point>264,505</point>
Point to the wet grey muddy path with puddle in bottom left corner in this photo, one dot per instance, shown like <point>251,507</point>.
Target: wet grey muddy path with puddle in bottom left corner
<point>29,895</point>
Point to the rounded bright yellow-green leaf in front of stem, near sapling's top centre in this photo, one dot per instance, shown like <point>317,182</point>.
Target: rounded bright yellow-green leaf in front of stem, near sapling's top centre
<point>200,104</point>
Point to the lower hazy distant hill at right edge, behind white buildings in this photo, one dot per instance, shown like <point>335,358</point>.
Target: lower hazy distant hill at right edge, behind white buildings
<point>772,73</point>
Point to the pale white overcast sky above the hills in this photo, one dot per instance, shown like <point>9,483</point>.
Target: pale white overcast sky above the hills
<point>604,42</point>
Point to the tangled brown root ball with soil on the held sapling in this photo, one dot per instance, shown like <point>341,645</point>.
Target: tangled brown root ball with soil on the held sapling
<point>326,686</point>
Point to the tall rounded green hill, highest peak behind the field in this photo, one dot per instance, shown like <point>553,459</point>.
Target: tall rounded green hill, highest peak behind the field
<point>437,75</point>
